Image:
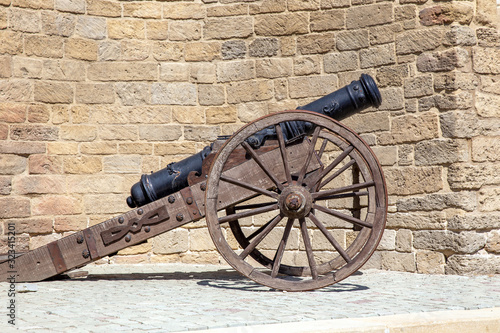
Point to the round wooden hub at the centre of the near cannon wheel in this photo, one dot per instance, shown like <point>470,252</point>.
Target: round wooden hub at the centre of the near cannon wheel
<point>295,202</point>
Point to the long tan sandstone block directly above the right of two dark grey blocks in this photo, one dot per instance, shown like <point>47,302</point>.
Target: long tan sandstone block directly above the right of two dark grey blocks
<point>281,24</point>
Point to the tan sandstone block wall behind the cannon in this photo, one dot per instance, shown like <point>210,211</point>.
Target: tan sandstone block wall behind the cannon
<point>95,92</point>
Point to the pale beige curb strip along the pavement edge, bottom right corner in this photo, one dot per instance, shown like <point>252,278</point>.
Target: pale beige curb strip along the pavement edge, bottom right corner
<point>463,321</point>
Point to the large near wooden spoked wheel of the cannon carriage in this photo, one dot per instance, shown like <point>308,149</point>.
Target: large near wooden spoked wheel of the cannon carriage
<point>319,216</point>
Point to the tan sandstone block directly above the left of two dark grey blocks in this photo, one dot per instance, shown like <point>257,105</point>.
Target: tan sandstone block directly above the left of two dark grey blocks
<point>228,27</point>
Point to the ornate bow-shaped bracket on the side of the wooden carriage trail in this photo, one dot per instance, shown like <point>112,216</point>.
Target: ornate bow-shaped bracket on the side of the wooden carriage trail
<point>135,224</point>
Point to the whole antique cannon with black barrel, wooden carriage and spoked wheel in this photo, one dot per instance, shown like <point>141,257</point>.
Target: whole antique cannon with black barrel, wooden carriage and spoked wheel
<point>294,200</point>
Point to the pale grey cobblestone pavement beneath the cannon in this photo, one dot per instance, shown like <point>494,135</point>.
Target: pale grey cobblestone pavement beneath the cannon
<point>177,297</point>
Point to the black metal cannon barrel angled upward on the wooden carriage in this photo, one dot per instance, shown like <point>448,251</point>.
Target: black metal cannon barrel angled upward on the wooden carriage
<point>340,104</point>
